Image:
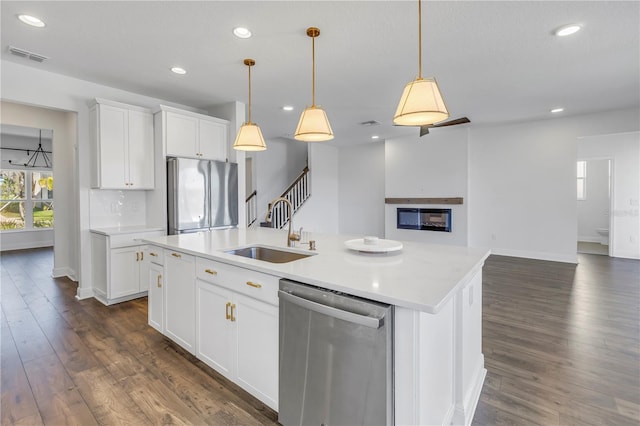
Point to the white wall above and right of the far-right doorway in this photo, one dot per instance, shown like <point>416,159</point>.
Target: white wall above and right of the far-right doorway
<point>624,150</point>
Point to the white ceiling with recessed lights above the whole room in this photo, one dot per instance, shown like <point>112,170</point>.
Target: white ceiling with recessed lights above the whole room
<point>495,61</point>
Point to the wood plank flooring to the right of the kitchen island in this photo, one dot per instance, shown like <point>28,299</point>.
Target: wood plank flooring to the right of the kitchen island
<point>561,342</point>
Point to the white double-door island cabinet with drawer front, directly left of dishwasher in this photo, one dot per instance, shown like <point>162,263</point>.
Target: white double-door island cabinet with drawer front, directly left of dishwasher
<point>237,326</point>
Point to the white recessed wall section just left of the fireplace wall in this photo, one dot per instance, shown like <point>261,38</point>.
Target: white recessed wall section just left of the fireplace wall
<point>361,189</point>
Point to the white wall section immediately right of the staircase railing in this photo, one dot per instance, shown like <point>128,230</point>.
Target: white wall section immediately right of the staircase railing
<point>321,211</point>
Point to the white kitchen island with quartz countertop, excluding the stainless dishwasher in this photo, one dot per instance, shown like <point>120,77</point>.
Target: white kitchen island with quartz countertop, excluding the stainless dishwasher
<point>436,292</point>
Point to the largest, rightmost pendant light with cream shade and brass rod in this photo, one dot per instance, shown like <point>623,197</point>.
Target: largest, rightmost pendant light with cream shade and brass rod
<point>421,102</point>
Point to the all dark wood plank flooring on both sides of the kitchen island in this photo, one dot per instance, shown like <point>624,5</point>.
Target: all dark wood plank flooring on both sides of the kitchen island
<point>561,345</point>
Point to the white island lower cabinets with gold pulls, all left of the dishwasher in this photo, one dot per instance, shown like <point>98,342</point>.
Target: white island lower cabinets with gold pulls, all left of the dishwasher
<point>225,315</point>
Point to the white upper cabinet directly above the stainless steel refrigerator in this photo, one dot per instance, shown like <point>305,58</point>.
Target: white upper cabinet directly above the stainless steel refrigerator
<point>188,134</point>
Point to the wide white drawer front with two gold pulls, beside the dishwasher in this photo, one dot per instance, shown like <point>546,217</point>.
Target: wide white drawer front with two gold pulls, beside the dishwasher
<point>251,283</point>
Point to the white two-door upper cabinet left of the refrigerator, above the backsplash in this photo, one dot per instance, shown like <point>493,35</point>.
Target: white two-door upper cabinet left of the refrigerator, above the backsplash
<point>123,148</point>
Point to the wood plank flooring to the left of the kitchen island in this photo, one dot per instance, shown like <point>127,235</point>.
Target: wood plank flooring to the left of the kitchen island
<point>70,362</point>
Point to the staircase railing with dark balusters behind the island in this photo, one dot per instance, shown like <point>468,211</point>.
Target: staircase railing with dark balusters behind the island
<point>297,193</point>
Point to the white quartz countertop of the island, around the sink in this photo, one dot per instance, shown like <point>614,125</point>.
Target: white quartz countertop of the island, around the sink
<point>420,276</point>
